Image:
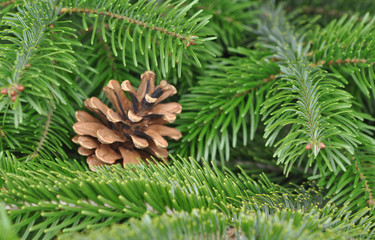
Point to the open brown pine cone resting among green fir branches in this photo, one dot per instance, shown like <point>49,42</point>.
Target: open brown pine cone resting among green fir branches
<point>135,130</point>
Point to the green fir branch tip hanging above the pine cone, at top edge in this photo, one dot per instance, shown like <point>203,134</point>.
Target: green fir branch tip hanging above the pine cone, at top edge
<point>147,22</point>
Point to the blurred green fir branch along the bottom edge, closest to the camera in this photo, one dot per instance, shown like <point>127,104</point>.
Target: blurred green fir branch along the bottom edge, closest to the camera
<point>210,224</point>
